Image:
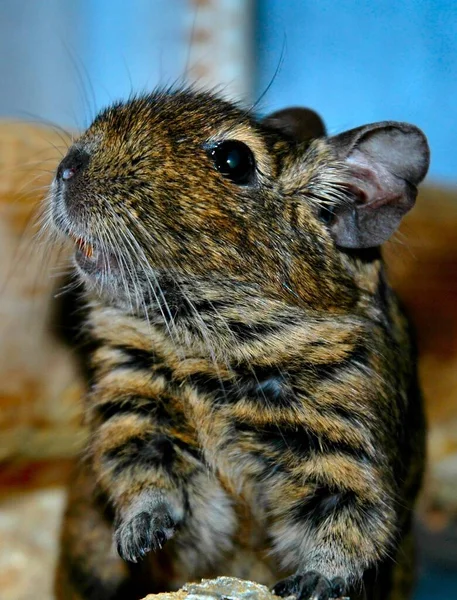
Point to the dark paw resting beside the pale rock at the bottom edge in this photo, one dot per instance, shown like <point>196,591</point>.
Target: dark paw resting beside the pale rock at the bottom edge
<point>311,586</point>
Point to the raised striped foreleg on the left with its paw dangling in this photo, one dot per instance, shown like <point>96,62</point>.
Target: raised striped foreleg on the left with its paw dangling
<point>143,463</point>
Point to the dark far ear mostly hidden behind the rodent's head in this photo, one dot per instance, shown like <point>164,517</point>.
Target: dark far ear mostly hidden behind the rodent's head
<point>301,124</point>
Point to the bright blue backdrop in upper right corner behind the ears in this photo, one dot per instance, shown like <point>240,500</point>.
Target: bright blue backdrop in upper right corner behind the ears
<point>359,62</point>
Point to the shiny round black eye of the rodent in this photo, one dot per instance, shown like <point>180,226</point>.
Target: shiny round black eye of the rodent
<point>234,160</point>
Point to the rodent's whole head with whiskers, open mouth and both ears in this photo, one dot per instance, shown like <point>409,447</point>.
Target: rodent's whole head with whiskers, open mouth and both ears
<point>190,192</point>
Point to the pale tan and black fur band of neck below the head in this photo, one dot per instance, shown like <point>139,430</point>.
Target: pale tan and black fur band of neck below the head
<point>263,333</point>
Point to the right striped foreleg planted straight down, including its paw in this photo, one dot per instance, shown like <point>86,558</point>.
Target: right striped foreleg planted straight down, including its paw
<point>328,493</point>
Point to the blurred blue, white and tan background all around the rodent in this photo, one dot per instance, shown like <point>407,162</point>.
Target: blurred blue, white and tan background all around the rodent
<point>354,62</point>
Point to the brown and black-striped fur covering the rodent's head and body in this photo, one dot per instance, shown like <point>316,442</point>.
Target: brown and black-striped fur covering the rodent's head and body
<point>253,392</point>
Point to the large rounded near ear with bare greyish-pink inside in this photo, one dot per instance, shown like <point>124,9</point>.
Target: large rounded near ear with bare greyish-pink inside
<point>385,162</point>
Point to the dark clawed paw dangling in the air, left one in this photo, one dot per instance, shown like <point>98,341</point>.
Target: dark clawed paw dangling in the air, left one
<point>140,532</point>
